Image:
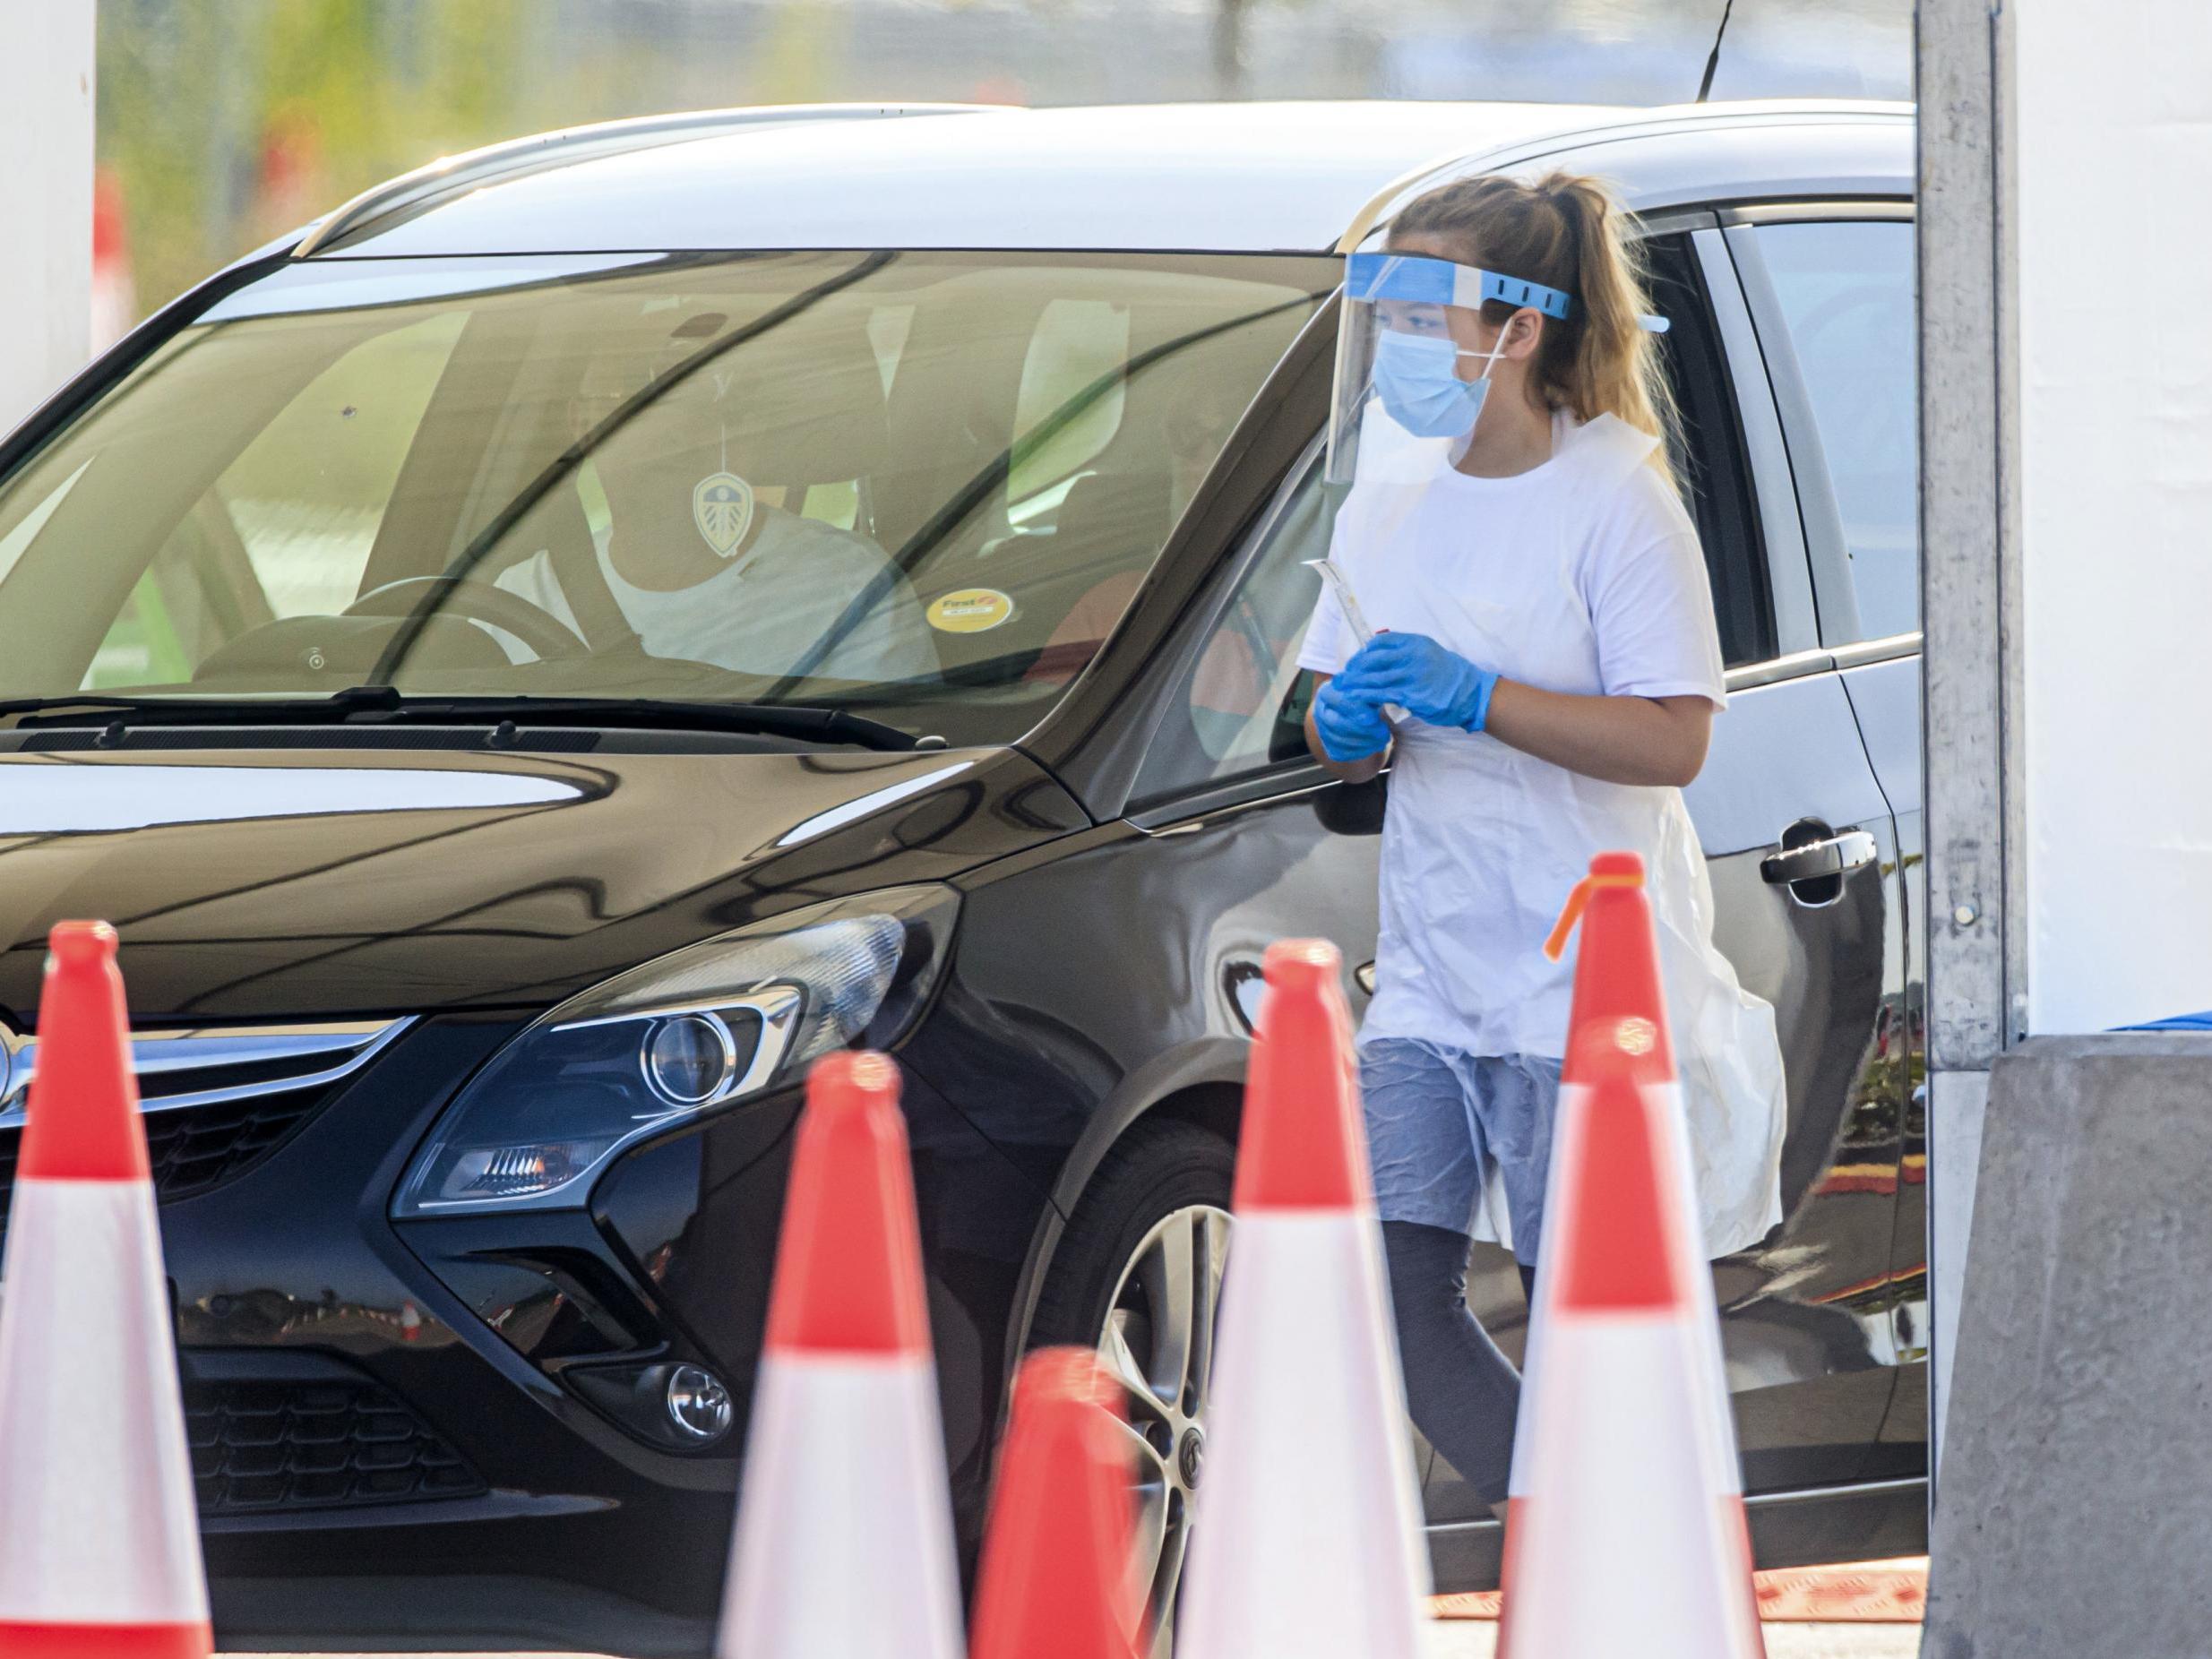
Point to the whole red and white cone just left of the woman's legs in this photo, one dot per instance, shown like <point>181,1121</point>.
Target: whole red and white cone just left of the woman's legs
<point>1308,1541</point>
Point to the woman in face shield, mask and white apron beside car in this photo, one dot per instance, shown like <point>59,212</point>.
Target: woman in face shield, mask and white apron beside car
<point>1543,678</point>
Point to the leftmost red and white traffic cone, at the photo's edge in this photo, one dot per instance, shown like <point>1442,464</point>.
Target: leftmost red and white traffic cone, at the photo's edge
<point>98,1536</point>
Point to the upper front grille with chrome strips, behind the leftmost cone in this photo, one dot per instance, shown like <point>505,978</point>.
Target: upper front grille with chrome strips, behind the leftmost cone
<point>218,1103</point>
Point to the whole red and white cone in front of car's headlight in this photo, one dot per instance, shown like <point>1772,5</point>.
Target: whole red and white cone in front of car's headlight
<point>844,1523</point>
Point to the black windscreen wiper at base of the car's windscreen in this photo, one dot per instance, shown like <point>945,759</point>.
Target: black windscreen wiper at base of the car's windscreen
<point>386,707</point>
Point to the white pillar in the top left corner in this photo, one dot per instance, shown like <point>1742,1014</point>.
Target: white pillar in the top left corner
<point>45,198</point>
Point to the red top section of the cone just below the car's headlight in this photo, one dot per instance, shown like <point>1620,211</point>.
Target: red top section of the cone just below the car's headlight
<point>848,1264</point>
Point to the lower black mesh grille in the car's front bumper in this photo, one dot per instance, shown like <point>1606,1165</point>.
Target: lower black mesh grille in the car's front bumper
<point>313,1443</point>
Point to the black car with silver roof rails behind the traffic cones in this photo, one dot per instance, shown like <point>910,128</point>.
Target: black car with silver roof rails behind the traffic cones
<point>539,658</point>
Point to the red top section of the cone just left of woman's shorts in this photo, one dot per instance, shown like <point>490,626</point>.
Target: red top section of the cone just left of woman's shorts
<point>1302,1145</point>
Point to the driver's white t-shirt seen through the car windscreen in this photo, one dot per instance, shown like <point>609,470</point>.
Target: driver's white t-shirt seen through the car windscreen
<point>764,612</point>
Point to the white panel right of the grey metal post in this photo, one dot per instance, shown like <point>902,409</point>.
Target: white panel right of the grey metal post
<point>2114,160</point>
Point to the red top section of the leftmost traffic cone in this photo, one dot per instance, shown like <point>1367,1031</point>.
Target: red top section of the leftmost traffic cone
<point>83,1118</point>
